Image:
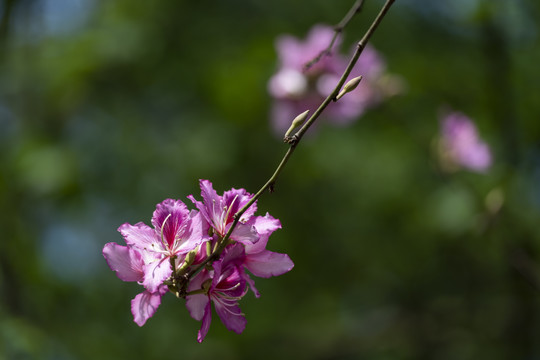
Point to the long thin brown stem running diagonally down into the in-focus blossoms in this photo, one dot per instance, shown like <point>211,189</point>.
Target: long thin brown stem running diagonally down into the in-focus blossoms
<point>269,185</point>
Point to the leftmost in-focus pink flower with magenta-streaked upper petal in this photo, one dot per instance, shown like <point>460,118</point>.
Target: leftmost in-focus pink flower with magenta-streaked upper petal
<point>147,258</point>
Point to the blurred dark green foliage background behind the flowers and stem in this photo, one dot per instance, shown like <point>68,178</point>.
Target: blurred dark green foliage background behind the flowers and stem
<point>109,107</point>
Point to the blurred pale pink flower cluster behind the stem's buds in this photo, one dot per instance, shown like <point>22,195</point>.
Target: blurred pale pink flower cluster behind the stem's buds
<point>296,87</point>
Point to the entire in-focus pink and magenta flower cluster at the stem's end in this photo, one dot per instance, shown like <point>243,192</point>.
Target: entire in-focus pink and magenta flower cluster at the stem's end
<point>189,253</point>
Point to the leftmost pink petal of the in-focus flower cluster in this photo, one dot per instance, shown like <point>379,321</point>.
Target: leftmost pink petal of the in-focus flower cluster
<point>126,261</point>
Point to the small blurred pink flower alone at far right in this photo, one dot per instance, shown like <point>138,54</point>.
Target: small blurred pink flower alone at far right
<point>461,146</point>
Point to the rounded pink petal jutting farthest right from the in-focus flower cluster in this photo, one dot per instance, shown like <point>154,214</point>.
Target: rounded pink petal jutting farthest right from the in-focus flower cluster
<point>267,263</point>
